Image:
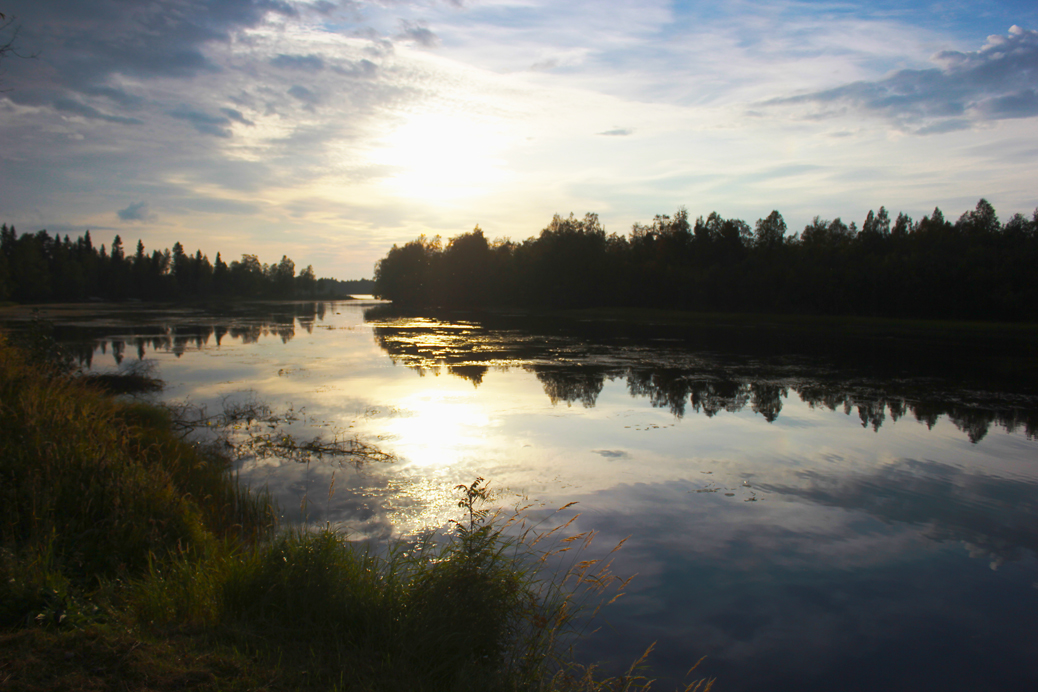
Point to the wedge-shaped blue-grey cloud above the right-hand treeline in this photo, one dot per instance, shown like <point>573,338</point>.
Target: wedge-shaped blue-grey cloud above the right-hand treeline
<point>997,82</point>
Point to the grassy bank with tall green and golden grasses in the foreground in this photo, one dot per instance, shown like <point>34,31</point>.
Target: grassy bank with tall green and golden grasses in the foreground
<point>131,560</point>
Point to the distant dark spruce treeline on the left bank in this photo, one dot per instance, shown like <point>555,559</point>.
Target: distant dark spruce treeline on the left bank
<point>37,268</point>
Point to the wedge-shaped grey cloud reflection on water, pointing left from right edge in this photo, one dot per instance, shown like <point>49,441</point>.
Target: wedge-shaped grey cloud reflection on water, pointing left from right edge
<point>997,518</point>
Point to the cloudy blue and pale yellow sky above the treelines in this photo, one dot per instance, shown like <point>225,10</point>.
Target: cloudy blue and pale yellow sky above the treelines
<point>330,131</point>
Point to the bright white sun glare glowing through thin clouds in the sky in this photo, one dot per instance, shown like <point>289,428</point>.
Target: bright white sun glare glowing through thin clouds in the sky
<point>444,157</point>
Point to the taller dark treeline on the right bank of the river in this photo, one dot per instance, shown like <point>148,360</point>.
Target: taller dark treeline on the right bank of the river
<point>975,268</point>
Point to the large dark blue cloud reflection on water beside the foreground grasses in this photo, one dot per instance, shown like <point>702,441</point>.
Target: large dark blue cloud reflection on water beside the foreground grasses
<point>783,595</point>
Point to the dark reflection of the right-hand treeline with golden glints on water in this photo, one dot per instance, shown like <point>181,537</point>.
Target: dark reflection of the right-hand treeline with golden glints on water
<point>709,386</point>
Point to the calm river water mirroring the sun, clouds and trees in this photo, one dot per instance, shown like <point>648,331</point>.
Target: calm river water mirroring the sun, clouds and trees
<point>807,517</point>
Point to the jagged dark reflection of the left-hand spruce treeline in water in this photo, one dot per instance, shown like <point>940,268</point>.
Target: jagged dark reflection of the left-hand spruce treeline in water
<point>250,325</point>
